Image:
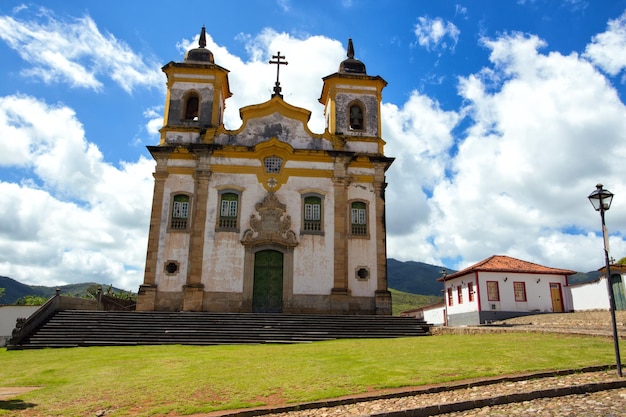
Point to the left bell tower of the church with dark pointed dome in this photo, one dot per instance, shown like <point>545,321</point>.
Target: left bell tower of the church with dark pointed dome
<point>196,93</point>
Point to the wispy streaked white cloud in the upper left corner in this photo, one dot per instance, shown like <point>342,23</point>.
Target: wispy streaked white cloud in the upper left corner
<point>76,52</point>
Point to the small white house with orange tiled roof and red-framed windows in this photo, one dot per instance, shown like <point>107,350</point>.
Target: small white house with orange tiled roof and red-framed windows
<point>501,287</point>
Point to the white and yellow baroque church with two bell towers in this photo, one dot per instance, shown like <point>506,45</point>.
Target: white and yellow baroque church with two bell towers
<point>270,217</point>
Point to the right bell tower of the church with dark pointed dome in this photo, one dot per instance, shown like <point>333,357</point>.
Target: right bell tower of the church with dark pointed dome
<point>352,99</point>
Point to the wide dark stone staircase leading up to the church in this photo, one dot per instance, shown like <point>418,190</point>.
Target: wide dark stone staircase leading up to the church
<point>72,328</point>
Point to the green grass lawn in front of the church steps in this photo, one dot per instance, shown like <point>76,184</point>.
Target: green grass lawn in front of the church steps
<point>157,380</point>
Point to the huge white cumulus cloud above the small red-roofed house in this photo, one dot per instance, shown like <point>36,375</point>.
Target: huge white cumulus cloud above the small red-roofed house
<point>544,129</point>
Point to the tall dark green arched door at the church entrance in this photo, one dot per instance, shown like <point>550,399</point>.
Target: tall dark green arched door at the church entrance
<point>267,293</point>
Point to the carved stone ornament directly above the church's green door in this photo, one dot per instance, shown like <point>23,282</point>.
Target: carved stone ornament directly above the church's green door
<point>273,226</point>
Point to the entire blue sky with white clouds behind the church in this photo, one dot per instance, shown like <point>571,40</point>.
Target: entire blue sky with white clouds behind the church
<point>502,117</point>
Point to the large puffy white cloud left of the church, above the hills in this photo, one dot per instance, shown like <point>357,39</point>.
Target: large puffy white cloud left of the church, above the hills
<point>74,217</point>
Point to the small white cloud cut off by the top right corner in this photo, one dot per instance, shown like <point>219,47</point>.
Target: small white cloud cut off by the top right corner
<point>608,49</point>
